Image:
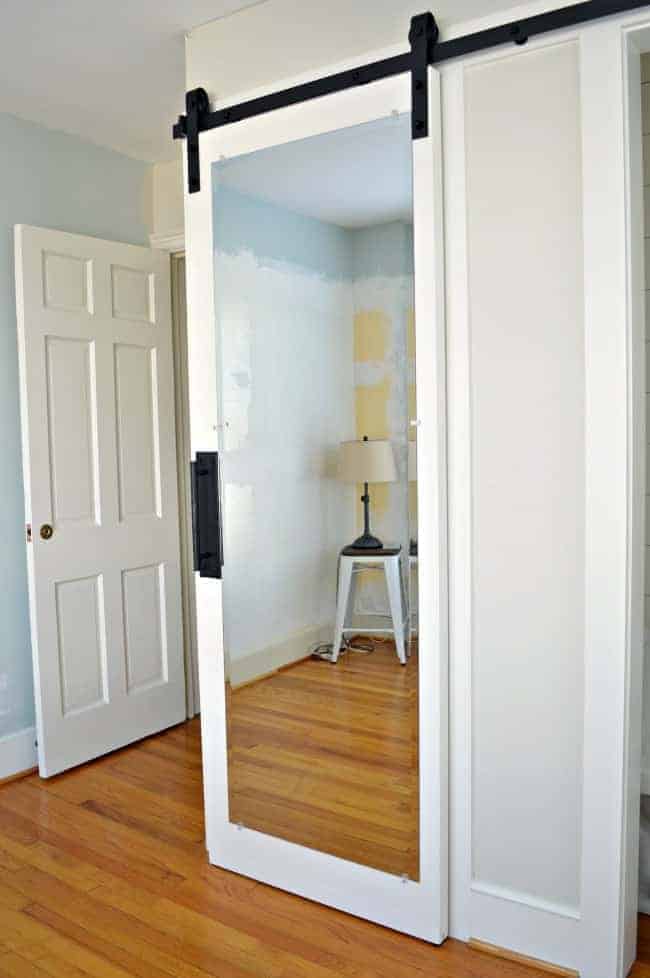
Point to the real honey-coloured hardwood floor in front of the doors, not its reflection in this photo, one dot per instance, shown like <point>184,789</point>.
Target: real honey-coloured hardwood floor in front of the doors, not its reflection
<point>103,873</point>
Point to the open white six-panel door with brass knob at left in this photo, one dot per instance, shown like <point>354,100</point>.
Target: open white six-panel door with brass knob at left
<point>95,347</point>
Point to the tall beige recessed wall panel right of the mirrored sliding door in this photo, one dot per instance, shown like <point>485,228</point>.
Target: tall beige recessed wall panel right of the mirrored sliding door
<point>527,355</point>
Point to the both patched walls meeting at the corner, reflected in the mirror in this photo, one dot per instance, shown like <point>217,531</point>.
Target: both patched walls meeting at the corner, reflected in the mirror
<point>313,324</point>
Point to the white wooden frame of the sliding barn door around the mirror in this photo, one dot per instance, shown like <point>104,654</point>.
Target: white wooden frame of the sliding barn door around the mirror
<point>419,908</point>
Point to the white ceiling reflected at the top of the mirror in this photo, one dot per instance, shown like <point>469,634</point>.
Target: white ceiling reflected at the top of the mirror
<point>354,177</point>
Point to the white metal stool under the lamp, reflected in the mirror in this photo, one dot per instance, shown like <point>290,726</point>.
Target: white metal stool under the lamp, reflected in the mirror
<point>390,559</point>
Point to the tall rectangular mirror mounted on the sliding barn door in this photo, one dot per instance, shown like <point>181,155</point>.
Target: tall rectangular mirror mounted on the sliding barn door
<point>315,338</point>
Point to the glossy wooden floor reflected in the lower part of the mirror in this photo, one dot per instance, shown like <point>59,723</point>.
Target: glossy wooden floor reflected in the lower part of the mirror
<point>326,756</point>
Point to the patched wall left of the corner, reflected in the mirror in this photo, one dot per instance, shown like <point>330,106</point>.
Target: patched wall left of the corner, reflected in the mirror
<point>285,342</point>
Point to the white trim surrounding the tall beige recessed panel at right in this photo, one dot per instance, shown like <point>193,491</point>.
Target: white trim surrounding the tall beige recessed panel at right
<point>599,938</point>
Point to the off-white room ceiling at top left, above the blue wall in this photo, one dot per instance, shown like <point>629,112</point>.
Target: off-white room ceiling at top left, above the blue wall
<point>112,71</point>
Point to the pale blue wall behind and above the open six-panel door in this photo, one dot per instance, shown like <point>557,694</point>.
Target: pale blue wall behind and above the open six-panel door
<point>57,181</point>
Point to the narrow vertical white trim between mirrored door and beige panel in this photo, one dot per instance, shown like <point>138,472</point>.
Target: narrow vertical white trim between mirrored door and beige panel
<point>459,474</point>
